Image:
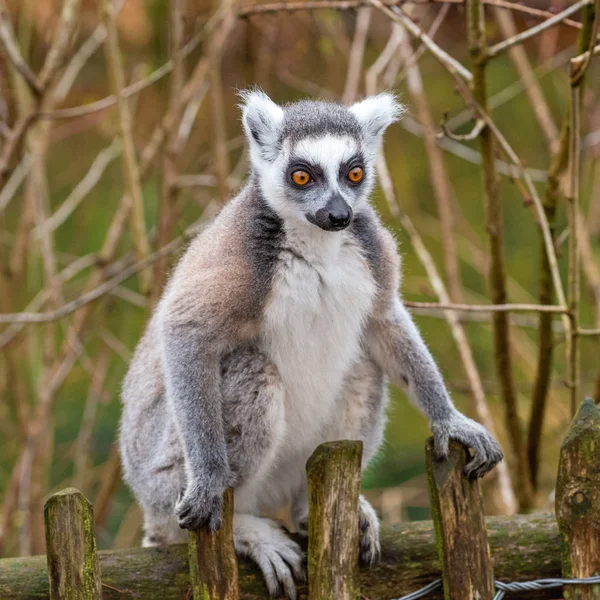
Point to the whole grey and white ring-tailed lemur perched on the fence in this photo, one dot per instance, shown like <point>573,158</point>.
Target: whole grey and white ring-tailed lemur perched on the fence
<point>277,331</point>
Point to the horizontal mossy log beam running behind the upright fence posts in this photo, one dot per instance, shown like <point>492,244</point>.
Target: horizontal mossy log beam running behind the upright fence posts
<point>523,547</point>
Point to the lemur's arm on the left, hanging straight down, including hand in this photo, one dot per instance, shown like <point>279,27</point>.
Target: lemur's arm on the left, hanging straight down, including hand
<point>197,320</point>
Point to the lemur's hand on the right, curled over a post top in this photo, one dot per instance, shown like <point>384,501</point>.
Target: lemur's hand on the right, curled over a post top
<point>487,452</point>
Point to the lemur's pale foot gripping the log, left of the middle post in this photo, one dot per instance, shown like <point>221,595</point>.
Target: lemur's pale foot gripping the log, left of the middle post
<point>280,558</point>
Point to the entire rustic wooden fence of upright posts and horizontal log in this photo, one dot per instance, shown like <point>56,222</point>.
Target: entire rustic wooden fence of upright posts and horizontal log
<point>469,552</point>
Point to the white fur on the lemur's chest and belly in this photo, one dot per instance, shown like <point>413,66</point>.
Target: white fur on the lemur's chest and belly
<point>320,300</point>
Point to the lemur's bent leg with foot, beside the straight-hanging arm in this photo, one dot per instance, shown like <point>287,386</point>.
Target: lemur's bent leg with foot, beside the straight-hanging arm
<point>253,414</point>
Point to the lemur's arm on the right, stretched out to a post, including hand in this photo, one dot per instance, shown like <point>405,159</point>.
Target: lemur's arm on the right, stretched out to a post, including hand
<point>397,346</point>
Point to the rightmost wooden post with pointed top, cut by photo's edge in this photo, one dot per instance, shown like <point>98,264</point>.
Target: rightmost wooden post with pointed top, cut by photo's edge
<point>578,501</point>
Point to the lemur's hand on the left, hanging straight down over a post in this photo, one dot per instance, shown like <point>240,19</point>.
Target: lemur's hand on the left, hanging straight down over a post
<point>200,505</point>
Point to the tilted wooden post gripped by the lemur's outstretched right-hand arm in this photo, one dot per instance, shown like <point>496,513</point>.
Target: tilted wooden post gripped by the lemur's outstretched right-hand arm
<point>461,536</point>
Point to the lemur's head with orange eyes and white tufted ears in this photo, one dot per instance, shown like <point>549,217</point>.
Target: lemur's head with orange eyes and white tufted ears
<point>315,160</point>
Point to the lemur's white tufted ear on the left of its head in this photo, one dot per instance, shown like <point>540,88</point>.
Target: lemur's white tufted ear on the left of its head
<point>262,120</point>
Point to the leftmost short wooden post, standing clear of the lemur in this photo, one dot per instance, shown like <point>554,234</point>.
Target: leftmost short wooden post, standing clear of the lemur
<point>73,569</point>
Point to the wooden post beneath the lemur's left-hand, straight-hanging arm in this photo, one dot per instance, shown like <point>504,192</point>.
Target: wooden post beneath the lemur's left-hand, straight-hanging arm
<point>213,565</point>
